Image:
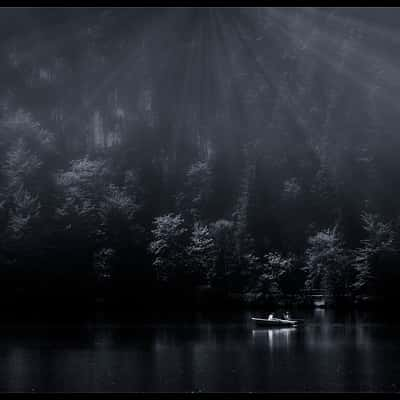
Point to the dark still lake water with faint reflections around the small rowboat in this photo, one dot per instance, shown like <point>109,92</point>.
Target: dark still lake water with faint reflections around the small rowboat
<point>203,352</point>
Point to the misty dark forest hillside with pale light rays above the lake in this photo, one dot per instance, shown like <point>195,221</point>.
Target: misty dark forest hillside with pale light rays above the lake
<point>199,155</point>
